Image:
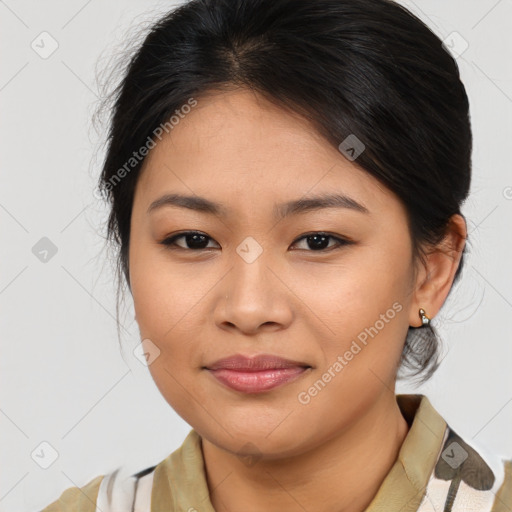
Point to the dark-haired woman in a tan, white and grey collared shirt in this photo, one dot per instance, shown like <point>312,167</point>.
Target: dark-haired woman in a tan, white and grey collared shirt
<point>286,180</point>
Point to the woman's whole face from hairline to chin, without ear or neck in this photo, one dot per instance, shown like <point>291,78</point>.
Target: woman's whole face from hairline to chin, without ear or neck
<point>329,286</point>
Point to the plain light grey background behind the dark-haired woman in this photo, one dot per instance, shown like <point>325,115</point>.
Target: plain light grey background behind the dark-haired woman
<point>64,380</point>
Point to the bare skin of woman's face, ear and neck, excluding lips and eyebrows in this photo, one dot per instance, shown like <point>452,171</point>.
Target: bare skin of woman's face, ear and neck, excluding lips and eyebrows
<point>200,305</point>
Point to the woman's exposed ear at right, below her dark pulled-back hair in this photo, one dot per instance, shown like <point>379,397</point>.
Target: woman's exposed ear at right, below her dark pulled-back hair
<point>435,277</point>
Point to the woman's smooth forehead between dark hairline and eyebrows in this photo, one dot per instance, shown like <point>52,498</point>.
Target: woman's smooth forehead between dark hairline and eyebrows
<point>239,146</point>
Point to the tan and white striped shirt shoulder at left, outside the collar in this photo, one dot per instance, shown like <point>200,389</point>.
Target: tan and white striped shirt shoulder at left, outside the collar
<point>116,491</point>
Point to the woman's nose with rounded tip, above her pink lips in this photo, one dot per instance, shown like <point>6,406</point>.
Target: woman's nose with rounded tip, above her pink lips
<point>254,297</point>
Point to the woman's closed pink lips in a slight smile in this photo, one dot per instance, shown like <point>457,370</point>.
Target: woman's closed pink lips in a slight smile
<point>256,374</point>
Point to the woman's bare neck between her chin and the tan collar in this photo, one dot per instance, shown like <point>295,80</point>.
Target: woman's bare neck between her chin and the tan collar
<point>335,476</point>
